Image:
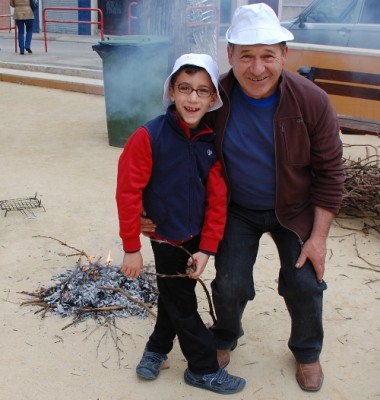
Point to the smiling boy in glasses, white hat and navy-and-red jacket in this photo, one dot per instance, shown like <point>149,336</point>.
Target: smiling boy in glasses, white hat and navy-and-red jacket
<point>169,169</point>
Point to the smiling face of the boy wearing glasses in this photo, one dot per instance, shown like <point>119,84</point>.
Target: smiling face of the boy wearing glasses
<point>191,107</point>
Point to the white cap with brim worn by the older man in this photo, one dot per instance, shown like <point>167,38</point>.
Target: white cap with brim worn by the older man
<point>256,24</point>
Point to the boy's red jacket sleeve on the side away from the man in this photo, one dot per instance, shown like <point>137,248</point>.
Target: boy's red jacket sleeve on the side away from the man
<point>134,171</point>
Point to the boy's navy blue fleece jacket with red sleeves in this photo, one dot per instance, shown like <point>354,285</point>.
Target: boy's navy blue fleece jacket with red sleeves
<point>171,171</point>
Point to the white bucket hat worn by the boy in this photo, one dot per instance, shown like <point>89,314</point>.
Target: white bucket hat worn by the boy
<point>200,60</point>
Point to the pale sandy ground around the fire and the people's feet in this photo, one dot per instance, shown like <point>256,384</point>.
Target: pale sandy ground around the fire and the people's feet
<point>55,143</point>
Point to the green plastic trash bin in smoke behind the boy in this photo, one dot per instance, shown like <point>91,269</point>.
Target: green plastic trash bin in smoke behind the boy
<point>134,70</point>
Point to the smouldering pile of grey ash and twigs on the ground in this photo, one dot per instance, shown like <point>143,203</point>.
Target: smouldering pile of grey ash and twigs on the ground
<point>97,289</point>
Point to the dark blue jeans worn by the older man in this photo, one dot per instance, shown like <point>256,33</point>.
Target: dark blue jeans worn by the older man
<point>233,285</point>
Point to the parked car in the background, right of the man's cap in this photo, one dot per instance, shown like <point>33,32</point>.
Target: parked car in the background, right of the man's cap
<point>348,23</point>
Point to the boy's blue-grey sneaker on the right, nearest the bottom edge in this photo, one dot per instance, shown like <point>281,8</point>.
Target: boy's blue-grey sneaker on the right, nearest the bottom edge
<point>220,382</point>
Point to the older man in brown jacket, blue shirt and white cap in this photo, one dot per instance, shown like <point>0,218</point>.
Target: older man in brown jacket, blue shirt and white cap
<point>278,140</point>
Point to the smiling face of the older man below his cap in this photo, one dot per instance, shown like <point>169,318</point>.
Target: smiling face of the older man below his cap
<point>257,67</point>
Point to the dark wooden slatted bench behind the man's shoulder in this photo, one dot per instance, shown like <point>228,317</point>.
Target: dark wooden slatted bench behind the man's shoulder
<point>350,84</point>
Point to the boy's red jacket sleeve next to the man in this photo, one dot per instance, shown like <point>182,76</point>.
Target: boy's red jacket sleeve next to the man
<point>216,210</point>
